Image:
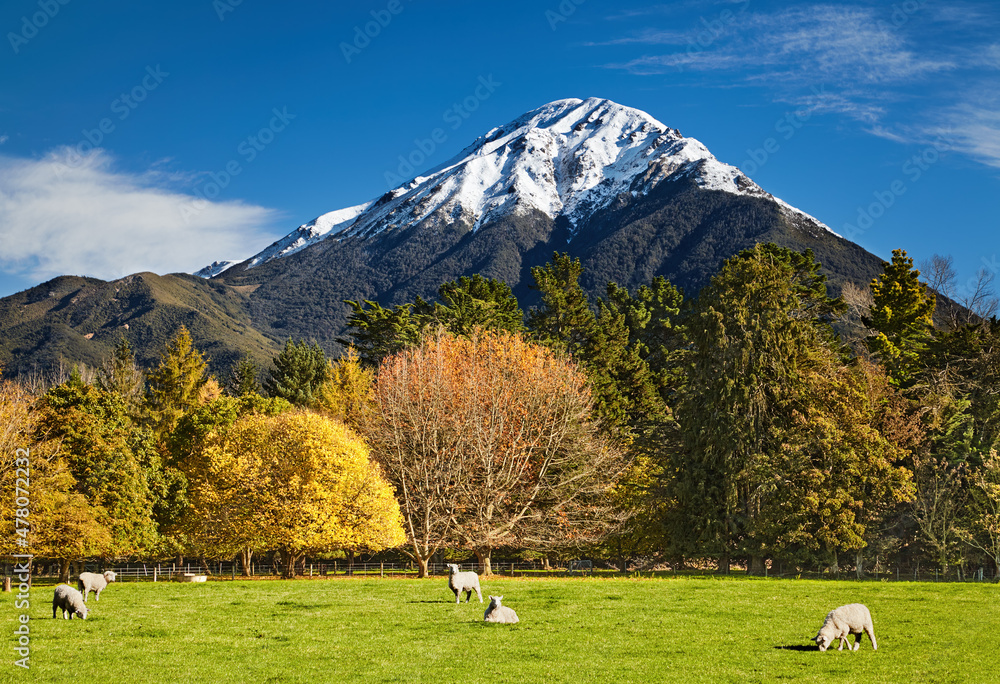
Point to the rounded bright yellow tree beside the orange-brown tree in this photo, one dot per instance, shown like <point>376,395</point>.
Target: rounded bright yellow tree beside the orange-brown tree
<point>298,482</point>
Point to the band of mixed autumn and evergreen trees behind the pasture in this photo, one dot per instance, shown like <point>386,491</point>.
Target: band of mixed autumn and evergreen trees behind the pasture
<point>762,421</point>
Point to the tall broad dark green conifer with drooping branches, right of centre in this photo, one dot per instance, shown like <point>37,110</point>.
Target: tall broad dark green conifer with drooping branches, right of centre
<point>752,332</point>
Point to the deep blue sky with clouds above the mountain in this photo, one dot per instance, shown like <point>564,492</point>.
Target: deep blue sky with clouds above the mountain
<point>162,136</point>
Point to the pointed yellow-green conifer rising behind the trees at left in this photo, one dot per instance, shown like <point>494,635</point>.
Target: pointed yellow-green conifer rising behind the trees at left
<point>175,385</point>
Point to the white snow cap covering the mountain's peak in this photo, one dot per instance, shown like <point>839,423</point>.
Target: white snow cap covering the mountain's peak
<point>568,158</point>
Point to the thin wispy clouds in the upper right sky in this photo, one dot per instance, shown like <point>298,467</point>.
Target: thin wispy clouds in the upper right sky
<point>882,66</point>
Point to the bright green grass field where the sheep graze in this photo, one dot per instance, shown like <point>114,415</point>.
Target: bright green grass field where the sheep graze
<point>571,630</point>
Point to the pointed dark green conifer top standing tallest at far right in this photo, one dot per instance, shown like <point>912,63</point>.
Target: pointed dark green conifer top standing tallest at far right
<point>901,316</point>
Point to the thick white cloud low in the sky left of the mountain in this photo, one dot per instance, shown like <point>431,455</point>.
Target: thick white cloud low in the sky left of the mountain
<point>91,219</point>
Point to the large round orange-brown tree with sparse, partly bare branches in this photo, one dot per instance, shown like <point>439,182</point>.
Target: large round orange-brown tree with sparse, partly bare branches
<point>489,441</point>
